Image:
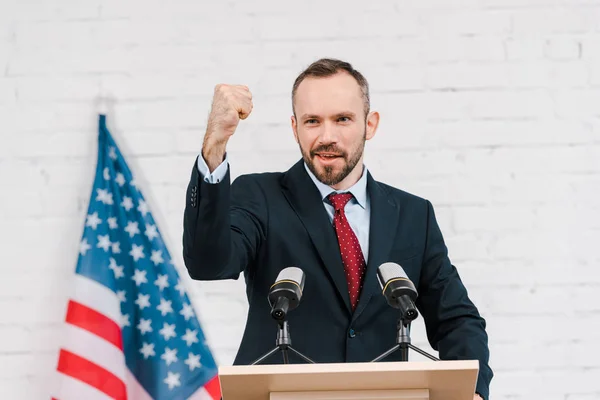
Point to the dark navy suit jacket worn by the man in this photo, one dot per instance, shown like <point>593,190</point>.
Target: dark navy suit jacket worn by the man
<point>263,223</point>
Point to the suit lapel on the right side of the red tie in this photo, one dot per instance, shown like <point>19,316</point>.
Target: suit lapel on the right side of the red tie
<point>382,233</point>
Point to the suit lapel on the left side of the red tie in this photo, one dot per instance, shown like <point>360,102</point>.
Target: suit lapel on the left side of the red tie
<point>305,199</point>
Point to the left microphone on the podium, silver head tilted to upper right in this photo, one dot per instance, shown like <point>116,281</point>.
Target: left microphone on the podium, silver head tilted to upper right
<point>286,292</point>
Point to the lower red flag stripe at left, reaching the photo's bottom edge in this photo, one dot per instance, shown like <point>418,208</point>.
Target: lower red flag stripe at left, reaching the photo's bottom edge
<point>86,371</point>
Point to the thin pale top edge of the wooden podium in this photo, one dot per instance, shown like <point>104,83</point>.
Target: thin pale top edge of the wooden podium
<point>279,369</point>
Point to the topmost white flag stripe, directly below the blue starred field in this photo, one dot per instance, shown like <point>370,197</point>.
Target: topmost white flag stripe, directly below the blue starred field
<point>97,297</point>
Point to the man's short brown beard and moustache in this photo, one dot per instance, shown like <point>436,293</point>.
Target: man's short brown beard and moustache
<point>329,175</point>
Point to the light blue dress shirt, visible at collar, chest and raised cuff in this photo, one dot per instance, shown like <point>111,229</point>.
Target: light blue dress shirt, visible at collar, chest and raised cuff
<point>358,209</point>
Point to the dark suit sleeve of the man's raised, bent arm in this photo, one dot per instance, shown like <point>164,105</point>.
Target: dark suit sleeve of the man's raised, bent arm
<point>224,226</point>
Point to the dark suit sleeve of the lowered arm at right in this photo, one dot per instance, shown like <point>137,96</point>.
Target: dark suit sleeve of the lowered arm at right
<point>454,326</point>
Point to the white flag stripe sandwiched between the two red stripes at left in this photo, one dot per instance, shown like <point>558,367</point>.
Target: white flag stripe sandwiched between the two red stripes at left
<point>95,349</point>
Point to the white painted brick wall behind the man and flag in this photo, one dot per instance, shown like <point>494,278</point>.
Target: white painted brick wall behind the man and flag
<point>490,109</point>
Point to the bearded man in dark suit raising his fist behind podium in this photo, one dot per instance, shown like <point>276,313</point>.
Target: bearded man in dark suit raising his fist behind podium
<point>329,217</point>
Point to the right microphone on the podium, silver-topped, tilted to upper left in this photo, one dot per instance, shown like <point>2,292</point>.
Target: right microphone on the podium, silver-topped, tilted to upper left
<point>398,290</point>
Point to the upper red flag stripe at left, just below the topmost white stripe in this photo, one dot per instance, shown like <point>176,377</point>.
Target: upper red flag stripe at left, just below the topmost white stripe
<point>94,322</point>
